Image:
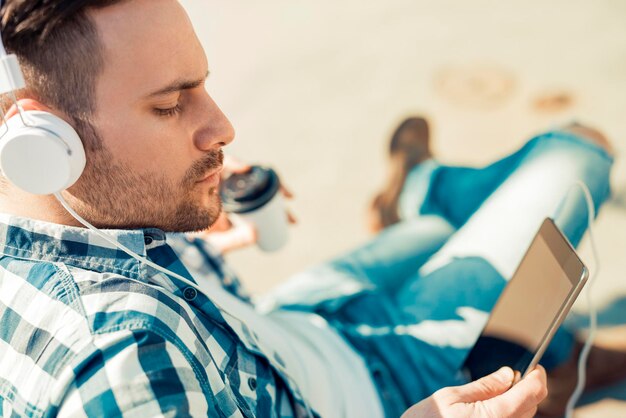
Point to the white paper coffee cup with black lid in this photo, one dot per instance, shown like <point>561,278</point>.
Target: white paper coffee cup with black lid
<point>255,197</point>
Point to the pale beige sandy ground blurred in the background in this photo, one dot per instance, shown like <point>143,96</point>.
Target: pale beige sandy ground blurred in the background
<point>314,88</point>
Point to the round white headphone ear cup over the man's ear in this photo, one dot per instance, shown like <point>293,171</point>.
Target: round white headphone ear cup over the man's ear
<point>45,156</point>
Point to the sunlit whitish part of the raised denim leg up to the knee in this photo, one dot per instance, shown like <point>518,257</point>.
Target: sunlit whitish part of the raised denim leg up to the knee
<point>541,185</point>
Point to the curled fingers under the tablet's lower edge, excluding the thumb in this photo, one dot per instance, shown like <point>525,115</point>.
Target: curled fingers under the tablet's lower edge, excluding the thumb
<point>521,398</point>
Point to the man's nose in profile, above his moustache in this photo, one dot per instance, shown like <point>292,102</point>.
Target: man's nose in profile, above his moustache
<point>216,131</point>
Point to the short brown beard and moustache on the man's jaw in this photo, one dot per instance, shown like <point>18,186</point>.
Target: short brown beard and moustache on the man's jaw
<point>112,195</point>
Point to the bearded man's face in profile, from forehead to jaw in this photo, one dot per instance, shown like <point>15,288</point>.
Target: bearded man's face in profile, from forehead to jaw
<point>162,133</point>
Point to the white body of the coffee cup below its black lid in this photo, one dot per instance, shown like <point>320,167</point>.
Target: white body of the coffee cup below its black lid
<point>271,224</point>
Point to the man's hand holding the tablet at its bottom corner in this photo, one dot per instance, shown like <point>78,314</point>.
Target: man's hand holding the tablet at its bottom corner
<point>489,397</point>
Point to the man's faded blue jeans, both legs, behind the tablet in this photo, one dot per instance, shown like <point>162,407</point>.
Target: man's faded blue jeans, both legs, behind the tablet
<point>414,300</point>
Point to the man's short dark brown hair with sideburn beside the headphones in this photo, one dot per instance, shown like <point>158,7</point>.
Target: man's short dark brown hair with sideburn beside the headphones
<point>61,56</point>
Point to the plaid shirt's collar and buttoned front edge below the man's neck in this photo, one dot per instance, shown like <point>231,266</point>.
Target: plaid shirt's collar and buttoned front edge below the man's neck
<point>79,247</point>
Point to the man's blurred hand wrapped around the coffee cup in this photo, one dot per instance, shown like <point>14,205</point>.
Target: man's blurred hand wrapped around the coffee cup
<point>228,234</point>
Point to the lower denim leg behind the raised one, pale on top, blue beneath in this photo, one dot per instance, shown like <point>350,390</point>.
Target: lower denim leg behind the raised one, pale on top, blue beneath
<point>383,265</point>
